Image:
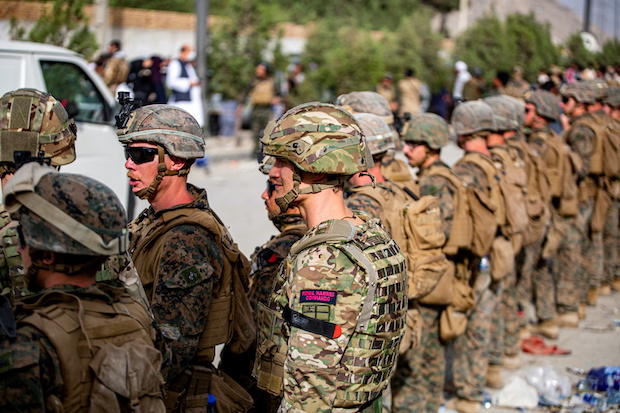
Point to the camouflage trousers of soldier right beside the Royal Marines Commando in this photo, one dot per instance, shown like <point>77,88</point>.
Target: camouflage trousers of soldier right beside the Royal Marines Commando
<point>417,384</point>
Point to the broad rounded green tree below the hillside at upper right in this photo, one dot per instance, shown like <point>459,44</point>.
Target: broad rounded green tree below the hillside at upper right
<point>520,40</point>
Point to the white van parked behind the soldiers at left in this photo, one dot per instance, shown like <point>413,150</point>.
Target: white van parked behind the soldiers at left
<point>68,77</point>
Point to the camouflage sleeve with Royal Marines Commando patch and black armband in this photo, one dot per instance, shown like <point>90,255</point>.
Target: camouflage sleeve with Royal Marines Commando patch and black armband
<point>327,285</point>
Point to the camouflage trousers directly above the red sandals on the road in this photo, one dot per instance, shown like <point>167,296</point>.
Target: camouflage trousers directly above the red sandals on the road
<point>535,282</point>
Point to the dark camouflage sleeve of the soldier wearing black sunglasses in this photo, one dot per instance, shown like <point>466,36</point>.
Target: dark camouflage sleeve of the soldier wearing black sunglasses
<point>191,264</point>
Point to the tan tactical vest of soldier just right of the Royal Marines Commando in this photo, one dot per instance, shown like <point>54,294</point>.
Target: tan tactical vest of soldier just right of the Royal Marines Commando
<point>416,226</point>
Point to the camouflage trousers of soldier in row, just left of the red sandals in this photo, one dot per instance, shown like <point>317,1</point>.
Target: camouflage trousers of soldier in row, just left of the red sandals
<point>505,321</point>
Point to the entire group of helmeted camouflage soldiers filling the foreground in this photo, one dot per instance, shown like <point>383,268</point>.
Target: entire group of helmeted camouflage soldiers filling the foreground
<point>359,302</point>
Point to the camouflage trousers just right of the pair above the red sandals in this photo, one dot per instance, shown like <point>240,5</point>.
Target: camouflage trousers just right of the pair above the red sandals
<point>566,267</point>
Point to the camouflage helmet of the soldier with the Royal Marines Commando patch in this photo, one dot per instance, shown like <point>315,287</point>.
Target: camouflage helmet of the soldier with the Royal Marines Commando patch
<point>319,138</point>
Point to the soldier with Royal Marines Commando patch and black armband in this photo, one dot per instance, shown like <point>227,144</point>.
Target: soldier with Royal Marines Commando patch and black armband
<point>329,337</point>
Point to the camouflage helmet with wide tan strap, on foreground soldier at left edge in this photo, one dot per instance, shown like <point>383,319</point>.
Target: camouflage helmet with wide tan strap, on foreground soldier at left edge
<point>66,213</point>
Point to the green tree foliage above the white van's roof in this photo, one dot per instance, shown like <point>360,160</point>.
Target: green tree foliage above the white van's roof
<point>64,25</point>
